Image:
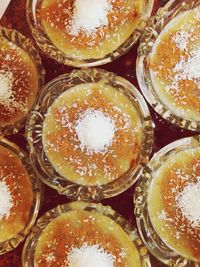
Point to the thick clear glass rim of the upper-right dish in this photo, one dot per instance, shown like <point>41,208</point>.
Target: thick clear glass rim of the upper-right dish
<point>152,31</point>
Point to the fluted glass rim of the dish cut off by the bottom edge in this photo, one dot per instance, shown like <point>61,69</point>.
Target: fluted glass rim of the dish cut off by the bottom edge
<point>31,242</point>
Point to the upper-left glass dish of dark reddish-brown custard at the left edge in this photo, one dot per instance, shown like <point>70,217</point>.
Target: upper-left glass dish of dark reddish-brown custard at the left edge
<point>21,76</point>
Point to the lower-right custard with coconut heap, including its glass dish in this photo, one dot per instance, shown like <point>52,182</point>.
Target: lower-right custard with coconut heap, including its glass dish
<point>172,192</point>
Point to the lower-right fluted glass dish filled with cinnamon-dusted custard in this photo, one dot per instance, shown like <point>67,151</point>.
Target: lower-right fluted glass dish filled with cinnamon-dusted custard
<point>167,244</point>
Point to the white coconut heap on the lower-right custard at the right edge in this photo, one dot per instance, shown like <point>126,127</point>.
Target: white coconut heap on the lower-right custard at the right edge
<point>189,202</point>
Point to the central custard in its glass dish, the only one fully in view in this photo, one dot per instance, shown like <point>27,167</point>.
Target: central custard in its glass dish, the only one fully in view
<point>93,132</point>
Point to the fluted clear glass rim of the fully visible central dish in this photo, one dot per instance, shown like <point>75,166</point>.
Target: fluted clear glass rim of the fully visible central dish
<point>39,160</point>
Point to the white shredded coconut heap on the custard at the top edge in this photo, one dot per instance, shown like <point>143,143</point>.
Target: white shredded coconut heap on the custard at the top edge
<point>89,15</point>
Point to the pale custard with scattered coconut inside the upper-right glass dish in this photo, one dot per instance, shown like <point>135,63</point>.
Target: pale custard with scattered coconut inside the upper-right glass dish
<point>174,65</point>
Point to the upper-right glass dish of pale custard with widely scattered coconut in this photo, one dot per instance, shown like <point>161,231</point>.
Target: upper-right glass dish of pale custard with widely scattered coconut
<point>168,68</point>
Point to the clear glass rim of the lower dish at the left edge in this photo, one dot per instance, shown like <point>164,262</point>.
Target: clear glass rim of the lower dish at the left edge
<point>12,243</point>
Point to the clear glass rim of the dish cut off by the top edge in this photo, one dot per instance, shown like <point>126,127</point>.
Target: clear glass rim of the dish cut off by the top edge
<point>52,51</point>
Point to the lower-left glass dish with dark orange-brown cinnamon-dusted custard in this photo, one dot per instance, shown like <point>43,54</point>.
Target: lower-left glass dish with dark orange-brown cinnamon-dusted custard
<point>19,162</point>
